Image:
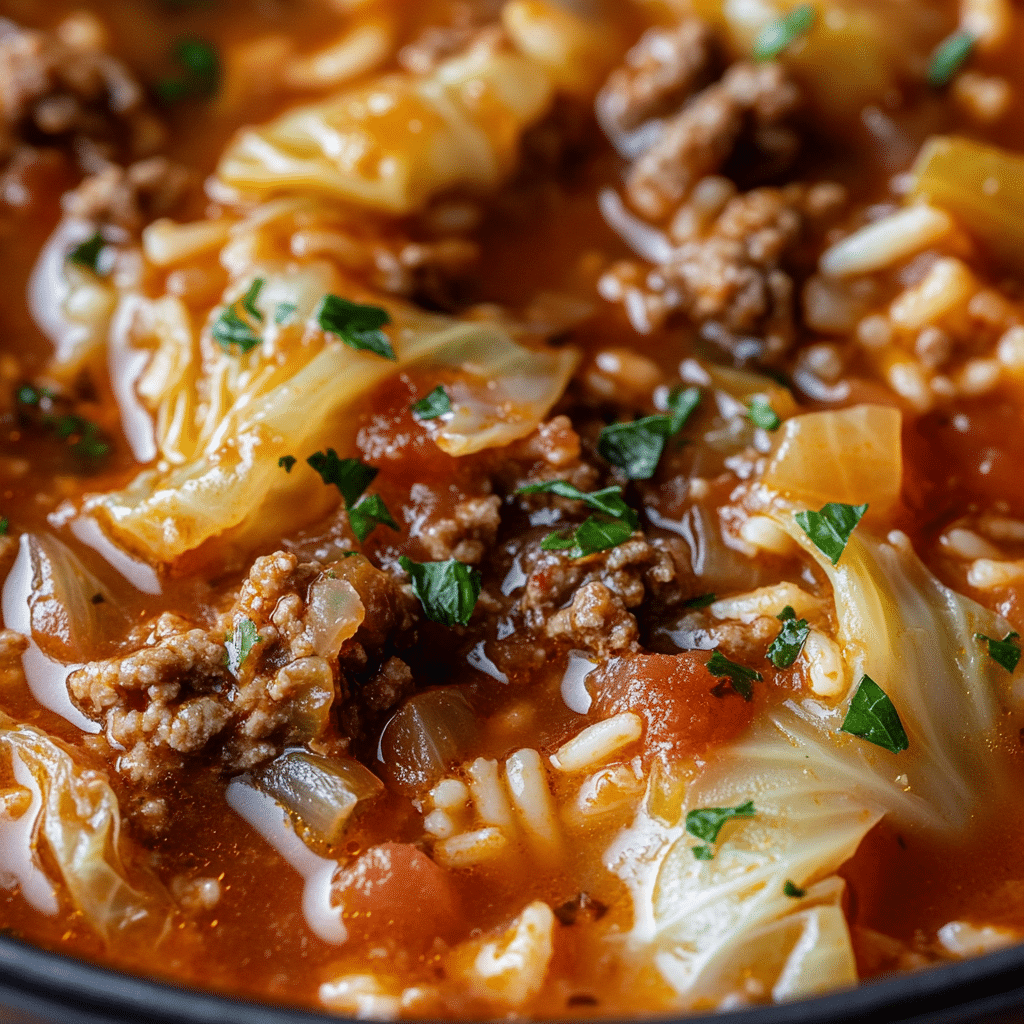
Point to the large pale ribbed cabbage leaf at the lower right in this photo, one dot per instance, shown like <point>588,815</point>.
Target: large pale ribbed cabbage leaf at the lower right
<point>818,792</point>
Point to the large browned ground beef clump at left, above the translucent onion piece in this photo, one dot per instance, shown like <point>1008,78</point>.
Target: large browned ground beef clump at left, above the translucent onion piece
<point>175,697</point>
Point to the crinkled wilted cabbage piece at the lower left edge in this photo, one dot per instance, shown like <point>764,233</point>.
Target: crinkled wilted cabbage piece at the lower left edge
<point>76,829</point>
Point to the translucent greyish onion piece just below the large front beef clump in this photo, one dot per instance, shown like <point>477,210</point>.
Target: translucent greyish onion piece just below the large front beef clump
<point>322,793</point>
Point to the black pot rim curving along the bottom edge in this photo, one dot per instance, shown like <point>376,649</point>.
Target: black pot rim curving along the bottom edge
<point>66,990</point>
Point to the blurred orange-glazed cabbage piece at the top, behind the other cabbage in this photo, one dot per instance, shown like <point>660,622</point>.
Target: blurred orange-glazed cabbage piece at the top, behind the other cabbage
<point>470,115</point>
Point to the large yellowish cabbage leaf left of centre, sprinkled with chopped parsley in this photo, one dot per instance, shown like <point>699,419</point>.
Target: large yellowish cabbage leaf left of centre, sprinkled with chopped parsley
<point>225,420</point>
